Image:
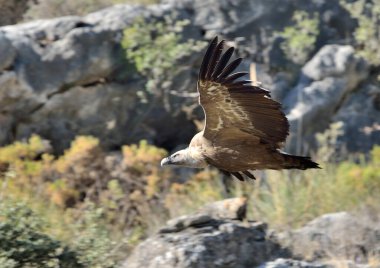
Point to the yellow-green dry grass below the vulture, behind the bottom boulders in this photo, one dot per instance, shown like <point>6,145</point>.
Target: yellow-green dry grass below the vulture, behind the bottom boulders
<point>289,198</point>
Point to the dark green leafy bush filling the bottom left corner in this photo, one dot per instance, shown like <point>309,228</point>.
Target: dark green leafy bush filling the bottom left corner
<point>25,244</point>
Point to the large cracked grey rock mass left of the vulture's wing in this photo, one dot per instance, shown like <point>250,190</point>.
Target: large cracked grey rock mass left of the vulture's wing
<point>59,81</point>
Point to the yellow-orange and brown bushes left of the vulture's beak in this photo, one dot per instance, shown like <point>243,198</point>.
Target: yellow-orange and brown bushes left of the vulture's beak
<point>128,187</point>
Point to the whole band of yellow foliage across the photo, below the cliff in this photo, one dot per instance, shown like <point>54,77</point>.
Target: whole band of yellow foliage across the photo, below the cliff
<point>135,192</point>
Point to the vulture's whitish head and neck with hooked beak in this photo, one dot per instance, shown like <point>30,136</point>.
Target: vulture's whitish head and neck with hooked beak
<point>186,158</point>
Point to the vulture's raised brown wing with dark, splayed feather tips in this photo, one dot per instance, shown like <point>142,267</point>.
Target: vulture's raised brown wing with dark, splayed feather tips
<point>231,103</point>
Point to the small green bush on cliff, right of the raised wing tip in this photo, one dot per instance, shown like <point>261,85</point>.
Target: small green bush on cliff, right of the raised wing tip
<point>301,37</point>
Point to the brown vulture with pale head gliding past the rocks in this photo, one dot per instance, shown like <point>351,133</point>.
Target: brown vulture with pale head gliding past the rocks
<point>244,128</point>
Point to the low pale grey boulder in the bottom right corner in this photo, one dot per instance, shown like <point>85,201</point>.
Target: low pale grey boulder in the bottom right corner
<point>338,236</point>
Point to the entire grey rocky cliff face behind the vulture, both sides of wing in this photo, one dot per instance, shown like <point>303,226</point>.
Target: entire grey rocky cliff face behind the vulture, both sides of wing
<point>58,77</point>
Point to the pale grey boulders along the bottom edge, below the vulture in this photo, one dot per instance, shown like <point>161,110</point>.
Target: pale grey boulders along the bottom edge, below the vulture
<point>209,239</point>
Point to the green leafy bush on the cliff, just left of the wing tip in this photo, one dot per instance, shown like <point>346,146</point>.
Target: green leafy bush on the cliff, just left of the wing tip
<point>154,48</point>
